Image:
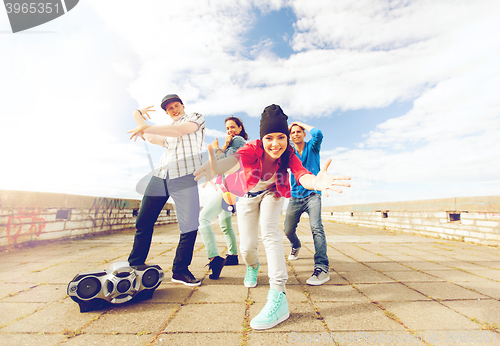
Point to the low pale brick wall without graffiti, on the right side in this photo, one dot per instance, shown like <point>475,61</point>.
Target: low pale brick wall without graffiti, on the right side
<point>475,219</point>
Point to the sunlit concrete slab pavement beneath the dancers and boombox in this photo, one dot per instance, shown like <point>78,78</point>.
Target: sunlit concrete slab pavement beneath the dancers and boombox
<point>386,288</point>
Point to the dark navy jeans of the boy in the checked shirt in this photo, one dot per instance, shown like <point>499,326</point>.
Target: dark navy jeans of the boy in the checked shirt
<point>184,192</point>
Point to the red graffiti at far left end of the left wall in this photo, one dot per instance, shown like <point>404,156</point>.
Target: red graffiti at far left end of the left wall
<point>25,222</point>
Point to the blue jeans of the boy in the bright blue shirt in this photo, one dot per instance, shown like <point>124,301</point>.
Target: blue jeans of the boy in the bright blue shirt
<point>312,206</point>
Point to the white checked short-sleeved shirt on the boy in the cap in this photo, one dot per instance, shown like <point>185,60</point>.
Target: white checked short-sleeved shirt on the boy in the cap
<point>183,153</point>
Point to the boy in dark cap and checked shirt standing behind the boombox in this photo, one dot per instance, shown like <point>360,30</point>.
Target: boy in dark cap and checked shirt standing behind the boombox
<point>183,142</point>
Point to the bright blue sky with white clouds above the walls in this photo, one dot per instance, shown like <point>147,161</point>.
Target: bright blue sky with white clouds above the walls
<point>406,93</point>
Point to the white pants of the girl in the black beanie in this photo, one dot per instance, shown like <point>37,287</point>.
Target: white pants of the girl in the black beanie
<point>263,210</point>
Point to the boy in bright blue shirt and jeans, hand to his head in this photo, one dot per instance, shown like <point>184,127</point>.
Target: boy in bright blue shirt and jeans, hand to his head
<point>309,201</point>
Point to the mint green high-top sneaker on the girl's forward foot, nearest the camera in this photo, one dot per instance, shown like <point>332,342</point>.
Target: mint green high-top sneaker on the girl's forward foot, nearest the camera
<point>275,311</point>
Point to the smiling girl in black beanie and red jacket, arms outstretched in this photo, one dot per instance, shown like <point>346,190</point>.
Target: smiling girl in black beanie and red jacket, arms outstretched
<point>258,173</point>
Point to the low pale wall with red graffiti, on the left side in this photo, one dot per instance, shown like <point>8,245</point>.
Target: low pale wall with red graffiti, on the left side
<point>30,217</point>
